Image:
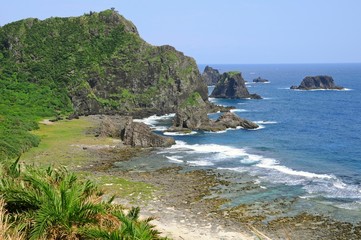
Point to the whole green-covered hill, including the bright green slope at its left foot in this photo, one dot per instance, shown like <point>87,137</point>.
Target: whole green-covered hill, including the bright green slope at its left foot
<point>97,58</point>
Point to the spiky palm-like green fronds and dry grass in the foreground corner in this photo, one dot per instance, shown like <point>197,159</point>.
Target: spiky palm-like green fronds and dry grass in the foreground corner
<point>54,204</point>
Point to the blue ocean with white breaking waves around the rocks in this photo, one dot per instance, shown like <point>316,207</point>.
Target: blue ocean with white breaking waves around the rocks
<point>307,150</point>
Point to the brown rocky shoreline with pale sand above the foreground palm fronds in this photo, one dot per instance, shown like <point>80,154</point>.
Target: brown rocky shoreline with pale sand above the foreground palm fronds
<point>188,203</point>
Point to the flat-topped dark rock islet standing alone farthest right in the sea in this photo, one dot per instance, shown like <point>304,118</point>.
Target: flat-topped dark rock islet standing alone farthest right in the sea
<point>317,82</point>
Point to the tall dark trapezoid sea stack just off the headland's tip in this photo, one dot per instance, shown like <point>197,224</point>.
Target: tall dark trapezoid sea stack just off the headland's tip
<point>232,85</point>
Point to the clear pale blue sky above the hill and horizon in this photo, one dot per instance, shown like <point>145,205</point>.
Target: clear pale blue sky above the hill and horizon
<point>227,31</point>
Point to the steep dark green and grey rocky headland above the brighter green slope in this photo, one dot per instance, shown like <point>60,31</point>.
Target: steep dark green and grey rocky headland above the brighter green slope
<point>97,63</point>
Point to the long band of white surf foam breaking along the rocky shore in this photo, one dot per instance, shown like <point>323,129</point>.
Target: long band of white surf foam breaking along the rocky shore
<point>267,169</point>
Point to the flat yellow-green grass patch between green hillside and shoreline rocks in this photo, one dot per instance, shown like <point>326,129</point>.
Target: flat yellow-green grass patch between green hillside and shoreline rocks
<point>61,143</point>
